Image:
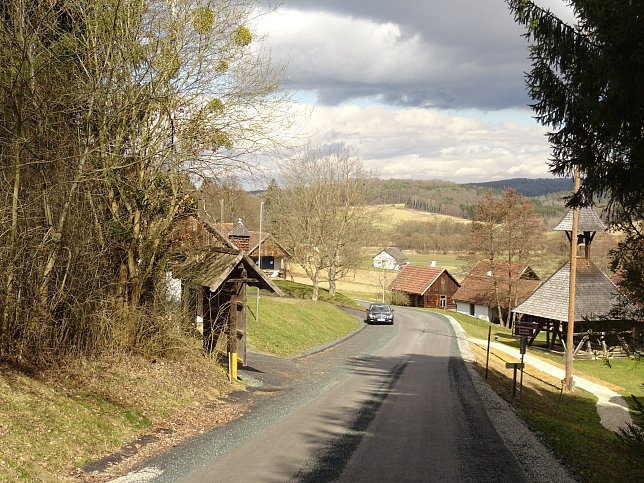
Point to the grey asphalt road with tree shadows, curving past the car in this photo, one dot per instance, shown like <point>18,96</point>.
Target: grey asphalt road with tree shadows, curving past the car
<point>390,403</point>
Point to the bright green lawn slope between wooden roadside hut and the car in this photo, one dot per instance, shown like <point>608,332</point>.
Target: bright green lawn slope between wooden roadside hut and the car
<point>288,326</point>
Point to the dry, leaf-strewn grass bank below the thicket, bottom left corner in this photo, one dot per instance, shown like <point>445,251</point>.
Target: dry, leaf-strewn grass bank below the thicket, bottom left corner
<point>61,418</point>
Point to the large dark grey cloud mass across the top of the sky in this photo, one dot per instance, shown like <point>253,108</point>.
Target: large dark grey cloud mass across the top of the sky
<point>441,53</point>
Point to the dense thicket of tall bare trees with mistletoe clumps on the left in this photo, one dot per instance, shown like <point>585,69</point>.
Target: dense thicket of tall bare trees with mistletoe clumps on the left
<point>110,108</point>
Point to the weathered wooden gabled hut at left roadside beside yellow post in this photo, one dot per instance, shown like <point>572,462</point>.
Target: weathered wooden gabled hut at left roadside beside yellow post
<point>210,274</point>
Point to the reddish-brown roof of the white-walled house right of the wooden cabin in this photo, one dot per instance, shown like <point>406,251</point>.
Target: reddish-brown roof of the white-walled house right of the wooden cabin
<point>478,286</point>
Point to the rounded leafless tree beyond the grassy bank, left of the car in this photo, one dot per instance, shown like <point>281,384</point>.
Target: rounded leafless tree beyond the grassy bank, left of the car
<point>320,212</point>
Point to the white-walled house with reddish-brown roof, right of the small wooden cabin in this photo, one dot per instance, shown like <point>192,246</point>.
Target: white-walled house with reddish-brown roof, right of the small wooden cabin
<point>477,295</point>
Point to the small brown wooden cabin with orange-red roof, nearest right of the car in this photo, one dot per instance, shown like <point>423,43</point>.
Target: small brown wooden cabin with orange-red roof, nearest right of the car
<point>426,286</point>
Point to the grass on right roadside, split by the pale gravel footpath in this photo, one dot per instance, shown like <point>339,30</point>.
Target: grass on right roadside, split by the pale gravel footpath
<point>569,421</point>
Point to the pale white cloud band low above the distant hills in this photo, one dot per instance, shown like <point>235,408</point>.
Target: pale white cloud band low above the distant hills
<point>431,144</point>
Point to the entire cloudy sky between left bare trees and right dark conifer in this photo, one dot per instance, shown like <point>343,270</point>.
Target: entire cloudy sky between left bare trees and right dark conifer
<point>421,89</point>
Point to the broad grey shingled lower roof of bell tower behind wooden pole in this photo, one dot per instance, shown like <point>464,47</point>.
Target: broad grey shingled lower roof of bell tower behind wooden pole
<point>595,294</point>
